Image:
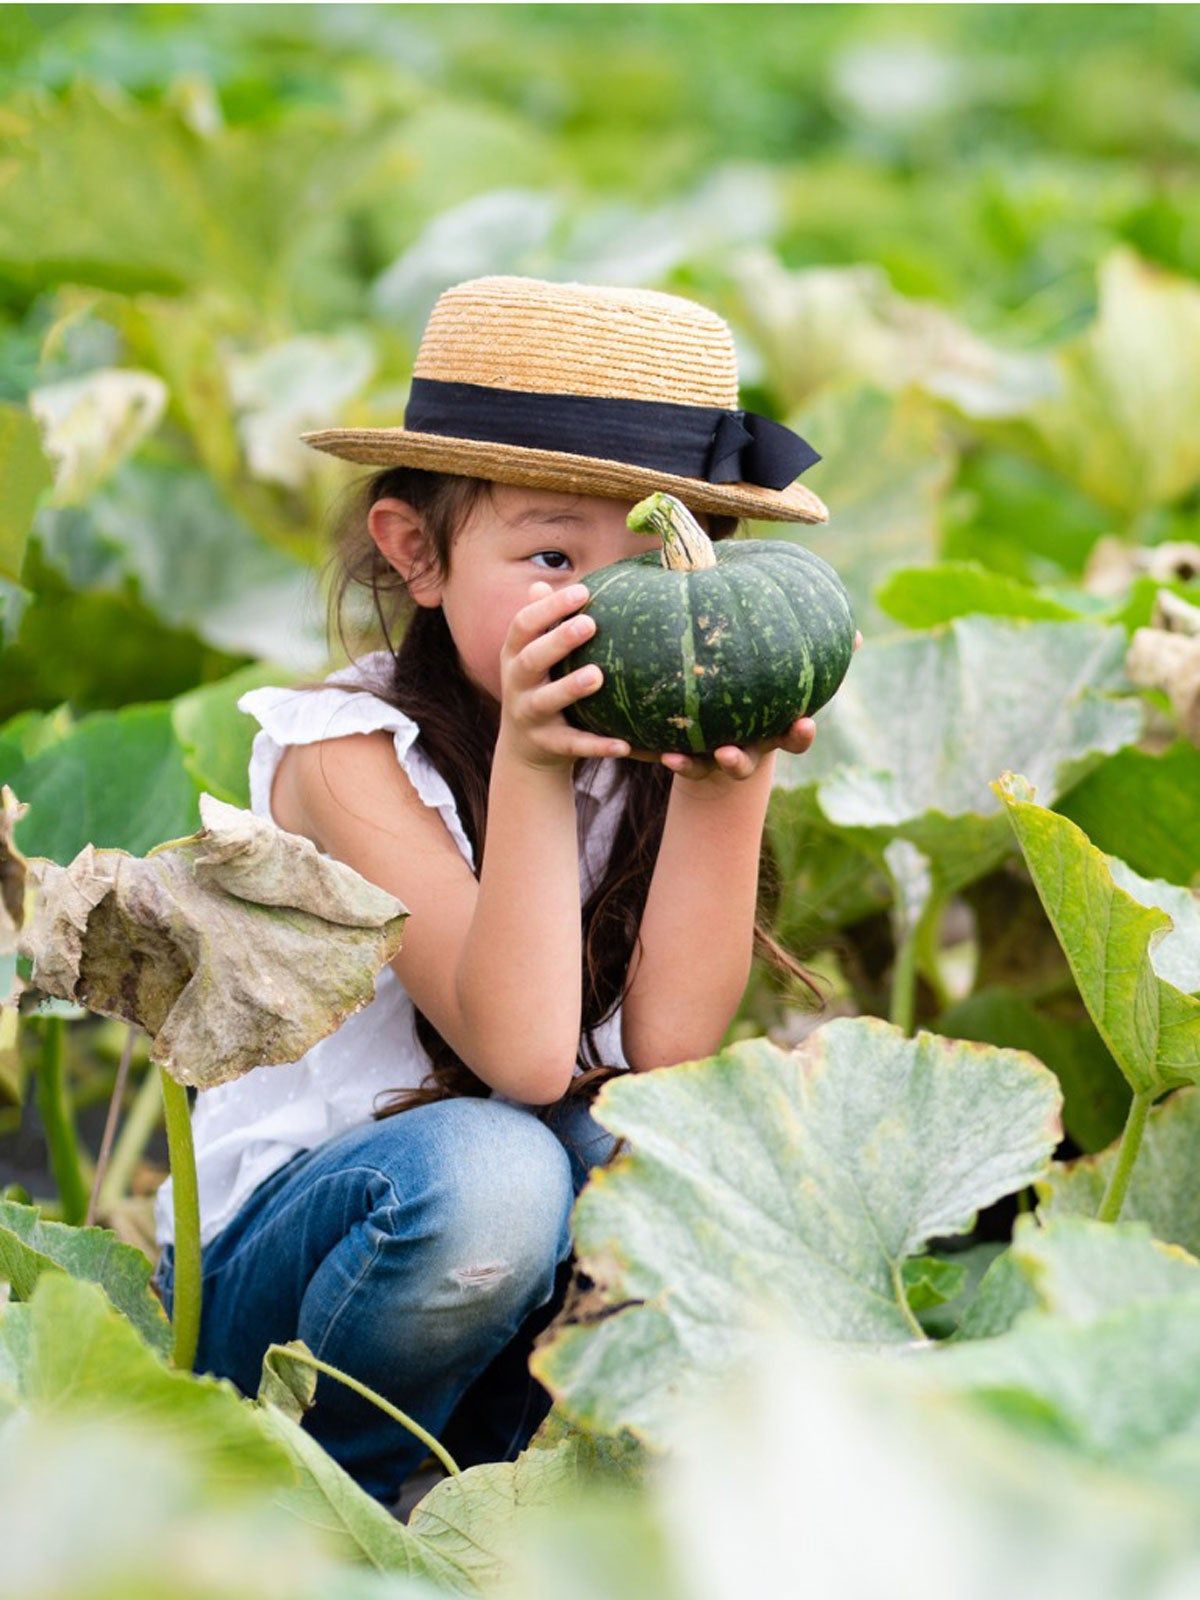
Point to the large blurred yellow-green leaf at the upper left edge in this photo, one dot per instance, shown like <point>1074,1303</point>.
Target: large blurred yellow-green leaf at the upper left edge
<point>100,190</point>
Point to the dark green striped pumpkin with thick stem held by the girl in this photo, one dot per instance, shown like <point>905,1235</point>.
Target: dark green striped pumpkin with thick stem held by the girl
<point>710,644</point>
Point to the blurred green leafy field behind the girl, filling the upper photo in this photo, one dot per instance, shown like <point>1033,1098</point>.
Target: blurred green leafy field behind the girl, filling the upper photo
<point>958,247</point>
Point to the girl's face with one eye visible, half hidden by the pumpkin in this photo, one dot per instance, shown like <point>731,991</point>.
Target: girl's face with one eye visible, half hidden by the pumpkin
<point>508,543</point>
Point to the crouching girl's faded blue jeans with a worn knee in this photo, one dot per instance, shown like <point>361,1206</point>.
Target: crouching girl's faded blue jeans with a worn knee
<point>422,1255</point>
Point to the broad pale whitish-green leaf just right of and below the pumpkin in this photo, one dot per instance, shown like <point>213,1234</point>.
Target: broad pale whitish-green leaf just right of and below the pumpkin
<point>922,724</point>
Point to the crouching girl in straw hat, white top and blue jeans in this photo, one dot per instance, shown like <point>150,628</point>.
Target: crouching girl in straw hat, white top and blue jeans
<point>401,1196</point>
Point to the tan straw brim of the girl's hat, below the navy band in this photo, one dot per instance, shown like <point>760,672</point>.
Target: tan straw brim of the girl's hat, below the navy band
<point>394,447</point>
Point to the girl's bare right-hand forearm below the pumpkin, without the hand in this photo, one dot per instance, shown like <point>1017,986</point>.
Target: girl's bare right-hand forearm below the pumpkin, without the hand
<point>698,926</point>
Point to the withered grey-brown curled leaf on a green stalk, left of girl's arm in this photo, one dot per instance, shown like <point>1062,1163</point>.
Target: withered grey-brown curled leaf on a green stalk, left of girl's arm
<point>234,948</point>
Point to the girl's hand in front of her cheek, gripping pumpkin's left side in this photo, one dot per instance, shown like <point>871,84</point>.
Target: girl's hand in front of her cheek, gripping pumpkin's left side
<point>532,703</point>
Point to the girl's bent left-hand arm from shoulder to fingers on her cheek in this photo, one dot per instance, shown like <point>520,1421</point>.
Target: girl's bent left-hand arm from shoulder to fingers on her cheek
<point>494,964</point>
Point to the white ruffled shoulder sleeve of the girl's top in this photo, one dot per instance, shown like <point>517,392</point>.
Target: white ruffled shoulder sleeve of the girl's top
<point>345,706</point>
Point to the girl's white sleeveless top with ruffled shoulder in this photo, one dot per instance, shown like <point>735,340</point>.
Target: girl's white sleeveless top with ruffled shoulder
<point>247,1129</point>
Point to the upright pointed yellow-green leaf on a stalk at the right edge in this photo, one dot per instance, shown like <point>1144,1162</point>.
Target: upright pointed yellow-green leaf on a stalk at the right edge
<point>1119,942</point>
